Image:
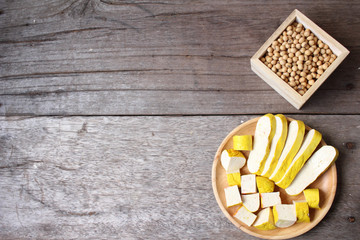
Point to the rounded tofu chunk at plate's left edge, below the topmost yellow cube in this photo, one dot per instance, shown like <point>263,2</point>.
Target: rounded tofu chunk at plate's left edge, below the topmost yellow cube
<point>232,160</point>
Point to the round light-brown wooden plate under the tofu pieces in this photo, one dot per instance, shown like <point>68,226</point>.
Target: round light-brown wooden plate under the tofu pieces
<point>326,184</point>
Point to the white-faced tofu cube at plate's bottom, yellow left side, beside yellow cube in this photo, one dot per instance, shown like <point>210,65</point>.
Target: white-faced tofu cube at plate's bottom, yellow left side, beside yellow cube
<point>284,215</point>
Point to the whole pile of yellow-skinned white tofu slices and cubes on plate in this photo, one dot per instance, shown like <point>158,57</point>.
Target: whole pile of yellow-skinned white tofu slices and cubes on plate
<point>282,153</point>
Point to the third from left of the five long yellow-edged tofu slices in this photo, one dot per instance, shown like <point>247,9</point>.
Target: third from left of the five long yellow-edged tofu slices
<point>293,142</point>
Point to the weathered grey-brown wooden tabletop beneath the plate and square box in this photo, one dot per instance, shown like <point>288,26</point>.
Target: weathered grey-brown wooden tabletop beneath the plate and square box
<point>112,111</point>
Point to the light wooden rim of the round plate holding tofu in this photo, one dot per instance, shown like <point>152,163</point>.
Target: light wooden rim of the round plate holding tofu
<point>289,232</point>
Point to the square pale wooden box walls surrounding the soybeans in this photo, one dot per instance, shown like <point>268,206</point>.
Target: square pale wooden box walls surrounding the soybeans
<point>280,85</point>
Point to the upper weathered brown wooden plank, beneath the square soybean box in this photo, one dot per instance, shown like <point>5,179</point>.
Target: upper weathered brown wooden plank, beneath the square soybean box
<point>181,57</point>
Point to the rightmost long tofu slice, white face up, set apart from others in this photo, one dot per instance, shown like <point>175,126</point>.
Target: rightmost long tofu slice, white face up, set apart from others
<point>318,163</point>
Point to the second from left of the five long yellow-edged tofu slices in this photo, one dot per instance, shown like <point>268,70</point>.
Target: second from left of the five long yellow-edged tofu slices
<point>277,145</point>
